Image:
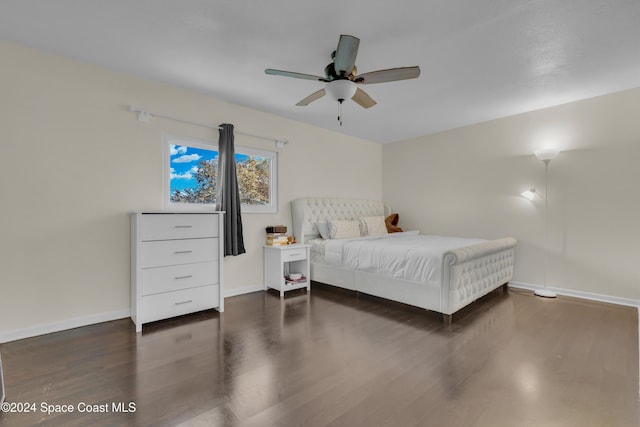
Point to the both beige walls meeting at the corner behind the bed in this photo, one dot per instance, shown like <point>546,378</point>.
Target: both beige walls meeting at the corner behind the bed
<point>75,162</point>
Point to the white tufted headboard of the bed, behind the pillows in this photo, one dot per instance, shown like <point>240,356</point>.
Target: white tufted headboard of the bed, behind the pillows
<point>309,210</point>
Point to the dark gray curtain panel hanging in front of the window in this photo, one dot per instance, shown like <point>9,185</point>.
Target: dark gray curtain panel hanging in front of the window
<point>228,197</point>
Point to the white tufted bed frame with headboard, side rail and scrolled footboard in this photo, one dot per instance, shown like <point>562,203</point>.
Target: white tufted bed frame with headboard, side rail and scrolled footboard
<point>468,273</point>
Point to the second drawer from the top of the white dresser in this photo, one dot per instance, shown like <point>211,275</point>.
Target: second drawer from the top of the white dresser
<point>174,252</point>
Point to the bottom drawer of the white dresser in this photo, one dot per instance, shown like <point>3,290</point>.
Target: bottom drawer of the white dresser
<point>169,304</point>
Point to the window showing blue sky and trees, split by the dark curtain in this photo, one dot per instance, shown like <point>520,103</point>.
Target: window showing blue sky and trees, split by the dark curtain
<point>191,175</point>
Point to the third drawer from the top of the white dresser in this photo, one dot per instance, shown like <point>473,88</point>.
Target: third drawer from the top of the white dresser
<point>165,279</point>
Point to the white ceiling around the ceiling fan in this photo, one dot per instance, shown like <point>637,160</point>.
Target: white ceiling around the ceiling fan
<point>480,59</point>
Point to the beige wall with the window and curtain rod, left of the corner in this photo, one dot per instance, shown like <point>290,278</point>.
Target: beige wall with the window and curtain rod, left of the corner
<point>75,162</point>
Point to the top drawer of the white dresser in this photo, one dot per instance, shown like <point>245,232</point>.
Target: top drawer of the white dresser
<point>177,226</point>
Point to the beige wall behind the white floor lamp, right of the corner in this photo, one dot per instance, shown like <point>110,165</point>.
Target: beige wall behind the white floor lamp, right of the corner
<point>467,182</point>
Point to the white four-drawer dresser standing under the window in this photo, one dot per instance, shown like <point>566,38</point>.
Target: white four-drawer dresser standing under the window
<point>176,264</point>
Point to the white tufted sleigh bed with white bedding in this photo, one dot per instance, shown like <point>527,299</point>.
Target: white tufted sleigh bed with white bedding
<point>445,280</point>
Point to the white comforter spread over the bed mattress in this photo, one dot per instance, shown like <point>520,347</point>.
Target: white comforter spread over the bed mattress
<point>408,255</point>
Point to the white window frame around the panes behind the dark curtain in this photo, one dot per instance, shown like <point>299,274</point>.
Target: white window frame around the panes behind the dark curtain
<point>170,139</point>
